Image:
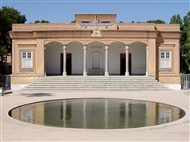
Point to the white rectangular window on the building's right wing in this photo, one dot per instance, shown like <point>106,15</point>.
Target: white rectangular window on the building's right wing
<point>165,59</point>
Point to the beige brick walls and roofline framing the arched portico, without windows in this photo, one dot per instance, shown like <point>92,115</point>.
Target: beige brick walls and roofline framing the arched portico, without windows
<point>35,36</point>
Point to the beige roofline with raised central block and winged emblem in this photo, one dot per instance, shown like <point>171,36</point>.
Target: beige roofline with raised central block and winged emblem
<point>95,25</point>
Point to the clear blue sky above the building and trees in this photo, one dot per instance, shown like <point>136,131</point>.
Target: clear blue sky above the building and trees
<point>127,10</point>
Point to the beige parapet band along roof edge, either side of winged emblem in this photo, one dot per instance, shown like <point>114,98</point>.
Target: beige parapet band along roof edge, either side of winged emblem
<point>76,26</point>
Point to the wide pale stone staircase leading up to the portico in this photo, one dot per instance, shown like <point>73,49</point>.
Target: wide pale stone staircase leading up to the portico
<point>95,83</point>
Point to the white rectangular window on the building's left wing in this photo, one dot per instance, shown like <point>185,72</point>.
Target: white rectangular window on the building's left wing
<point>26,59</point>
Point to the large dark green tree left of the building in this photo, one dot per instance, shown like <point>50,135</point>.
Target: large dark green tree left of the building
<point>8,16</point>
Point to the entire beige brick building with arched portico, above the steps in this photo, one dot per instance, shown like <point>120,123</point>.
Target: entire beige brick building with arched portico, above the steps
<point>96,45</point>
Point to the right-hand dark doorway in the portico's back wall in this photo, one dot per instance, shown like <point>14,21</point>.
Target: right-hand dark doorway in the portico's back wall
<point>123,63</point>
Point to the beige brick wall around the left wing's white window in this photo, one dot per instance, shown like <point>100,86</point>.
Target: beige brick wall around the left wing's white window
<point>37,46</point>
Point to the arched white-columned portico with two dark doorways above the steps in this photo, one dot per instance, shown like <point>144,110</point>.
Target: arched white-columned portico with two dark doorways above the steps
<point>96,58</point>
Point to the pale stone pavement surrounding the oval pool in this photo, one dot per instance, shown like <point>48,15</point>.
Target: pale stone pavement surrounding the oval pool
<point>14,130</point>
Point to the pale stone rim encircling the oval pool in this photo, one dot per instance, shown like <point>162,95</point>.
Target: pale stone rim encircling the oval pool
<point>181,120</point>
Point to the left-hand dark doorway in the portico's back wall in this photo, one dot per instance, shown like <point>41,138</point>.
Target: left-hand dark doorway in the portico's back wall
<point>68,63</point>
